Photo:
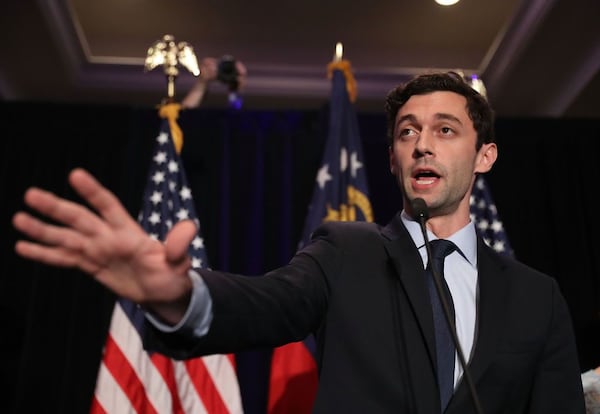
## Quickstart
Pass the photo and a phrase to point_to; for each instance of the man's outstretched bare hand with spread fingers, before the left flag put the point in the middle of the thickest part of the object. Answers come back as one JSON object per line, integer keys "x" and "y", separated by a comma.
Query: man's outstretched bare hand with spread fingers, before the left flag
{"x": 110, "y": 245}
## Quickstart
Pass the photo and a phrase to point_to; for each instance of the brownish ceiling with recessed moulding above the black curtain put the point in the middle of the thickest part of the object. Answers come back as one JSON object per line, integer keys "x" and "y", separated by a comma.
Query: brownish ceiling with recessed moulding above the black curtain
{"x": 536, "y": 57}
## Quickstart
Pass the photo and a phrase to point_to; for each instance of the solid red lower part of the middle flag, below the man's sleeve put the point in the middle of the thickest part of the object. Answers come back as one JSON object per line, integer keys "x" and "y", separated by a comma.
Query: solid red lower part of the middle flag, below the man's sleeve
{"x": 293, "y": 382}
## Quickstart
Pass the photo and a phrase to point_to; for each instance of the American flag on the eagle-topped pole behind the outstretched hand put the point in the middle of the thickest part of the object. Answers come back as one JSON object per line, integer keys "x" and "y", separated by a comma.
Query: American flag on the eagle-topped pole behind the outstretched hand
{"x": 132, "y": 380}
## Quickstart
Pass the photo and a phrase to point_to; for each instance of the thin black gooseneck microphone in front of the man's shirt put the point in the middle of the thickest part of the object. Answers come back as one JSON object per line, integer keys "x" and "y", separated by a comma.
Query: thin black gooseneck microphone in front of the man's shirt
{"x": 420, "y": 212}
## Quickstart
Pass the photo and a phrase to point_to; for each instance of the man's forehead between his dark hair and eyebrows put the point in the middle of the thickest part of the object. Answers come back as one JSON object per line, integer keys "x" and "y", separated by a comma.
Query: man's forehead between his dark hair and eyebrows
{"x": 423, "y": 107}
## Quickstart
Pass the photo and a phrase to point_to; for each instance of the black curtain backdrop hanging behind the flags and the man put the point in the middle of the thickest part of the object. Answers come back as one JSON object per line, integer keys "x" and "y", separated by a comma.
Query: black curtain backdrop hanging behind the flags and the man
{"x": 252, "y": 174}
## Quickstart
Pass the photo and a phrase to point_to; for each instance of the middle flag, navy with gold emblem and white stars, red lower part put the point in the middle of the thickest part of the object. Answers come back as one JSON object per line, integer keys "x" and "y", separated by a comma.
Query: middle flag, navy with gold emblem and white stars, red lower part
{"x": 340, "y": 194}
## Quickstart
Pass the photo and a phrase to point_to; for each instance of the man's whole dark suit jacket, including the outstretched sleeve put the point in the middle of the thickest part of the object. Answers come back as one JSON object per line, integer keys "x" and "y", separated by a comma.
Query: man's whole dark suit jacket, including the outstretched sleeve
{"x": 360, "y": 288}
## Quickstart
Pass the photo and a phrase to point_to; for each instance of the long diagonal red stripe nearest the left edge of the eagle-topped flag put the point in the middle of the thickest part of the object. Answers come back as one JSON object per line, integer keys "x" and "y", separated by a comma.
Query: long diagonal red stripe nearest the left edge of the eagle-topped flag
{"x": 120, "y": 368}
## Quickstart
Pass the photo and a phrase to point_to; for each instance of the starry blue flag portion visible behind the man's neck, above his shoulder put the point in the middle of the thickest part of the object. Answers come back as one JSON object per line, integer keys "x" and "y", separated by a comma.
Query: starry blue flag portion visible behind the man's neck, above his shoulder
{"x": 487, "y": 221}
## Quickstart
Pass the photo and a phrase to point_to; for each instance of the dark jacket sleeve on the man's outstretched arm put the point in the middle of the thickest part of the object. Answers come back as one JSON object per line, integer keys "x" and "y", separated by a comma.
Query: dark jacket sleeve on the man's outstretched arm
{"x": 250, "y": 312}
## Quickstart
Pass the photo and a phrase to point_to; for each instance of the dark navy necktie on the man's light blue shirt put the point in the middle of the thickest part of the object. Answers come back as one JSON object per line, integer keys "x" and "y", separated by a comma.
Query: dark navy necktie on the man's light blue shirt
{"x": 445, "y": 349}
